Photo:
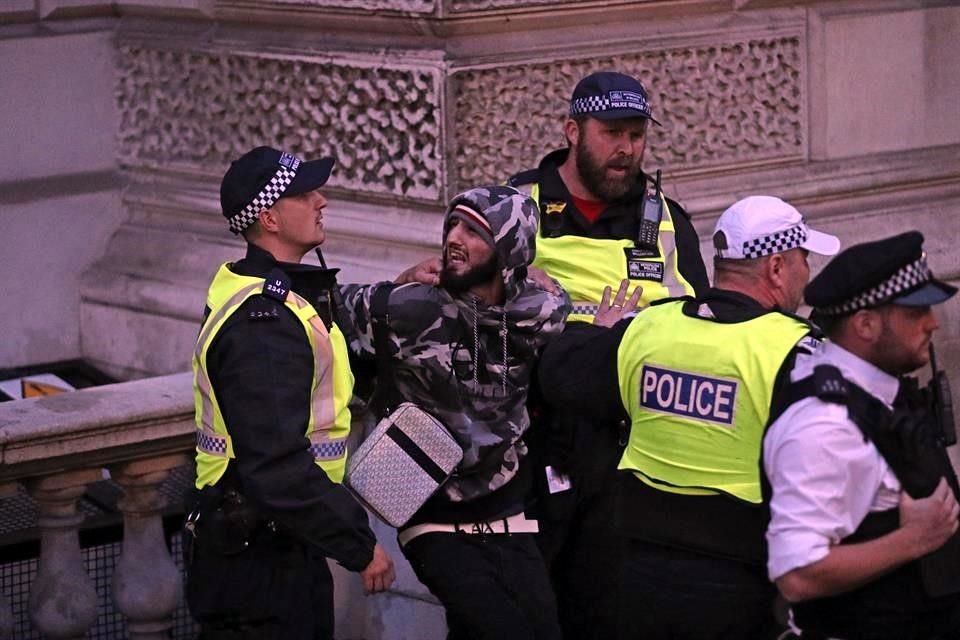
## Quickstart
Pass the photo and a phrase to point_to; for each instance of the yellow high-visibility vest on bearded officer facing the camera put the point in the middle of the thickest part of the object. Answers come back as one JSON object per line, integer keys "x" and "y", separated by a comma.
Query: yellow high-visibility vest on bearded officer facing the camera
{"x": 584, "y": 266}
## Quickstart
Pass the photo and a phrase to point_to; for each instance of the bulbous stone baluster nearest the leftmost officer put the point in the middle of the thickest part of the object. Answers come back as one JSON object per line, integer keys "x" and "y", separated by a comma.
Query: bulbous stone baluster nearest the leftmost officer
{"x": 146, "y": 585}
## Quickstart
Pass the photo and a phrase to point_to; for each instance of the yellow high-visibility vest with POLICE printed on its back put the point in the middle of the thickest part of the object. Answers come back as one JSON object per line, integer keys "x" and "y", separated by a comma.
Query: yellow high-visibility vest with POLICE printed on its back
{"x": 698, "y": 406}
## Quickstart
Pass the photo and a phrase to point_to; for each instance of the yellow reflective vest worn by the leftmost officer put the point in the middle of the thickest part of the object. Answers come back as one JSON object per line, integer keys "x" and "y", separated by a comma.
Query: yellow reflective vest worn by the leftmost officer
{"x": 332, "y": 385}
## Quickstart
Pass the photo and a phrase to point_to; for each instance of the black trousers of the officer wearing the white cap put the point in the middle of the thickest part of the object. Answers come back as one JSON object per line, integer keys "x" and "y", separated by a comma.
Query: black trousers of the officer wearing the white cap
{"x": 670, "y": 594}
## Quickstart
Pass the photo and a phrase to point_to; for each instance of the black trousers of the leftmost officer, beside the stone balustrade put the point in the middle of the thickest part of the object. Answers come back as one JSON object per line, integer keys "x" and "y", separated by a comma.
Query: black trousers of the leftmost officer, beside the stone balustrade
{"x": 279, "y": 590}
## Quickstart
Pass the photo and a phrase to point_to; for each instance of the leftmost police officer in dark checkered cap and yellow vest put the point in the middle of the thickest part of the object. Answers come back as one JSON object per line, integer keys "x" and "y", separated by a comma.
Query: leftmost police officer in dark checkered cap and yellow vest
{"x": 272, "y": 383}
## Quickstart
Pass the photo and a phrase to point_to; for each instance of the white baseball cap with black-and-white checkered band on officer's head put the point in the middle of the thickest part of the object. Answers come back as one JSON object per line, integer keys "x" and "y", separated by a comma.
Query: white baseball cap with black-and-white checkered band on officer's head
{"x": 759, "y": 226}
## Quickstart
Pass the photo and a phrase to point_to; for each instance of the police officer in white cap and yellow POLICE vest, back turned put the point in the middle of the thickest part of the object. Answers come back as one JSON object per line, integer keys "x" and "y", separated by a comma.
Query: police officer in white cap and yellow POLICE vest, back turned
{"x": 693, "y": 380}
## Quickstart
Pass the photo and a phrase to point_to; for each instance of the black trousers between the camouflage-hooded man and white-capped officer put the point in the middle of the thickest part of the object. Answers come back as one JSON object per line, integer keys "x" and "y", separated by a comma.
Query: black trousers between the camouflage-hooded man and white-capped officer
{"x": 578, "y": 539}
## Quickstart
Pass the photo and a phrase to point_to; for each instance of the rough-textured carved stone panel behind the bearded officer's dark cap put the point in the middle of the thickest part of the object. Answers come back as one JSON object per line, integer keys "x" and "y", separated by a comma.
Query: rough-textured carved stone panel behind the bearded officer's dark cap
{"x": 732, "y": 103}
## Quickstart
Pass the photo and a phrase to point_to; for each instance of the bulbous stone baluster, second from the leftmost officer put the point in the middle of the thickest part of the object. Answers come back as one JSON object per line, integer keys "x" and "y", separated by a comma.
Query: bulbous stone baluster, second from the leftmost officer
{"x": 63, "y": 598}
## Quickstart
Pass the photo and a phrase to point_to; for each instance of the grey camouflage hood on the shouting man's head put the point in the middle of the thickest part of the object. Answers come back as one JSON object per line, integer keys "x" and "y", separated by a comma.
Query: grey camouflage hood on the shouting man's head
{"x": 511, "y": 227}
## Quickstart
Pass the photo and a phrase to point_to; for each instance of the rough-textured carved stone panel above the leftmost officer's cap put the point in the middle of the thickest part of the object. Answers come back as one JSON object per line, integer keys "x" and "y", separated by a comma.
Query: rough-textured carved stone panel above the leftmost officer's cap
{"x": 198, "y": 110}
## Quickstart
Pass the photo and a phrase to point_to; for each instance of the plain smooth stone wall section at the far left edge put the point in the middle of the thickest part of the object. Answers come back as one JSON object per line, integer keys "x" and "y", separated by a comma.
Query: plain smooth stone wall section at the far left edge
{"x": 59, "y": 198}
